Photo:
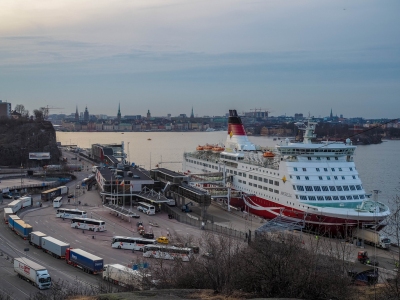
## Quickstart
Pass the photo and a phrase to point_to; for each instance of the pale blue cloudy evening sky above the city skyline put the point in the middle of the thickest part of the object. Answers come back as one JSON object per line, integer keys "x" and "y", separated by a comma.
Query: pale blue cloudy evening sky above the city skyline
{"x": 167, "y": 56}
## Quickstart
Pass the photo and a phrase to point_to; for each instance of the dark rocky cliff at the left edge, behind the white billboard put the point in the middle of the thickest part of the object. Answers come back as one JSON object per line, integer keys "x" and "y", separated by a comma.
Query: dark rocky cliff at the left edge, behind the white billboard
{"x": 19, "y": 137}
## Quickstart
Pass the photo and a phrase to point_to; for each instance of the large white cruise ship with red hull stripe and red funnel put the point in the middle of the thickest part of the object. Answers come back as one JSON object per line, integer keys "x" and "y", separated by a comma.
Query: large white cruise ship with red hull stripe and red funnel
{"x": 314, "y": 183}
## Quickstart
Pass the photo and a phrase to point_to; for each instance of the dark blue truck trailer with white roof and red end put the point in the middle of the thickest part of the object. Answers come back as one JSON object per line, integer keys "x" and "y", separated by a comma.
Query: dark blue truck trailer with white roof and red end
{"x": 86, "y": 261}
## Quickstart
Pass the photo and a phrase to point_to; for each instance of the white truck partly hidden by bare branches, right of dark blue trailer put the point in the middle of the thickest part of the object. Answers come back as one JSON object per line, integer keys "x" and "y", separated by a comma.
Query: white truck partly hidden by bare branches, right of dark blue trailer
{"x": 124, "y": 276}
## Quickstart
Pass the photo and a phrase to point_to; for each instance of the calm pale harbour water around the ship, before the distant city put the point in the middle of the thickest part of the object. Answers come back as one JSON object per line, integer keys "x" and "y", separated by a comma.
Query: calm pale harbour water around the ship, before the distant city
{"x": 378, "y": 165}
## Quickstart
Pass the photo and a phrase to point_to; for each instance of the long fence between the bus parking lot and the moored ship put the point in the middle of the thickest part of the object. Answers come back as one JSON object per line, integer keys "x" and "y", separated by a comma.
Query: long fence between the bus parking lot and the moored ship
{"x": 194, "y": 221}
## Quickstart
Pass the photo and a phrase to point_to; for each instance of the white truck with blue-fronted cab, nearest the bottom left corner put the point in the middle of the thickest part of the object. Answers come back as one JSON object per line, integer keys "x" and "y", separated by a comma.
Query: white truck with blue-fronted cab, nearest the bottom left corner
{"x": 32, "y": 272}
